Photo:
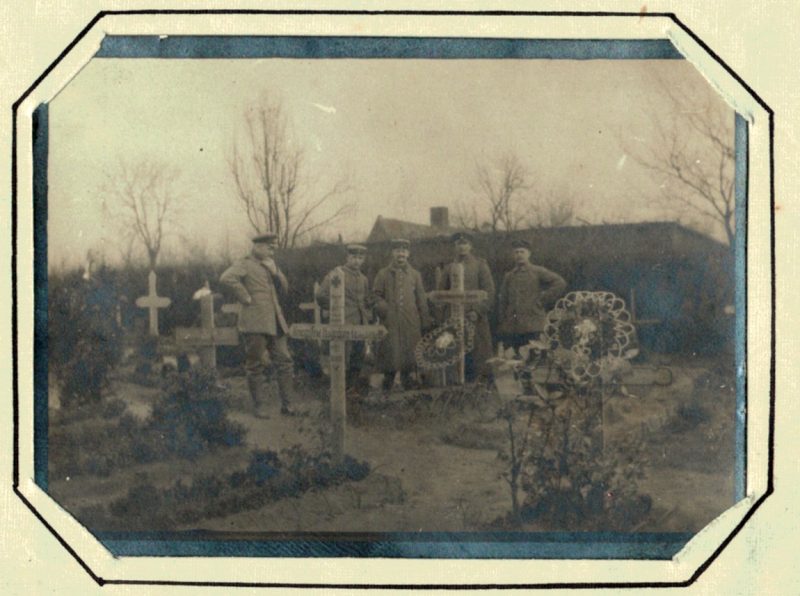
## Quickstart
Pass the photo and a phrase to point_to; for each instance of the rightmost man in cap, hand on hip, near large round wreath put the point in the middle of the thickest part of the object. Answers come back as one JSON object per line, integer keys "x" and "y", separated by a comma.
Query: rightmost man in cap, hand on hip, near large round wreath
{"x": 525, "y": 292}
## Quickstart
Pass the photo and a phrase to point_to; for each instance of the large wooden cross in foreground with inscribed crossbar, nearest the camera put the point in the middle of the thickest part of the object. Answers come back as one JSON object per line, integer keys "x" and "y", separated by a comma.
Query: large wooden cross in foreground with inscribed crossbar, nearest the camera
{"x": 338, "y": 333}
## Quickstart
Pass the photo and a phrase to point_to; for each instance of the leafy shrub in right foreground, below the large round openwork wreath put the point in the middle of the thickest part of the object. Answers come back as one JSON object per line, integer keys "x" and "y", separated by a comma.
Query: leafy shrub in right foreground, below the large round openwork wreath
{"x": 556, "y": 458}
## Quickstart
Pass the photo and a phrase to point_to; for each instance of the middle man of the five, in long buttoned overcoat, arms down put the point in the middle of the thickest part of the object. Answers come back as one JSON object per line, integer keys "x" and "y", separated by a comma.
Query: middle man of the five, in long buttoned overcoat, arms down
{"x": 402, "y": 305}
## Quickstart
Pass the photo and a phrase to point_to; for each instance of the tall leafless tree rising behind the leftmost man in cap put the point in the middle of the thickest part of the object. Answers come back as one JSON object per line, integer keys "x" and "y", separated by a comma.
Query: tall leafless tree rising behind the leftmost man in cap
{"x": 272, "y": 185}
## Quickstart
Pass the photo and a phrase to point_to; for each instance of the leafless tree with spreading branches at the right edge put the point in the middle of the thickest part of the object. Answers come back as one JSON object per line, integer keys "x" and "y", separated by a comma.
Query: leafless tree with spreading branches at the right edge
{"x": 693, "y": 158}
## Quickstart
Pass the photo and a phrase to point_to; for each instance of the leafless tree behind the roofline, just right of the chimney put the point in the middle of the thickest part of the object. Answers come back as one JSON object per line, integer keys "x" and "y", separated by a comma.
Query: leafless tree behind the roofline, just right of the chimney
{"x": 500, "y": 190}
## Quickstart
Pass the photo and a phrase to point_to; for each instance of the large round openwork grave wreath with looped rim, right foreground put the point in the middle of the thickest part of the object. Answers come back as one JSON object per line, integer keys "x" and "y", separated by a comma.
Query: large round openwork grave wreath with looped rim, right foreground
{"x": 589, "y": 334}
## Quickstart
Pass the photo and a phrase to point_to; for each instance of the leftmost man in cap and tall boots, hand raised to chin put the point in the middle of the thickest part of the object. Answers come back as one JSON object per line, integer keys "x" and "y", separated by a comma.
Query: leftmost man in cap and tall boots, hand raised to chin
{"x": 257, "y": 281}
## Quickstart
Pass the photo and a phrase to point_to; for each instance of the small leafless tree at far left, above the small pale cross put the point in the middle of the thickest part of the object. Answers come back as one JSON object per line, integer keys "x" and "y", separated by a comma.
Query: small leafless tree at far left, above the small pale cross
{"x": 141, "y": 197}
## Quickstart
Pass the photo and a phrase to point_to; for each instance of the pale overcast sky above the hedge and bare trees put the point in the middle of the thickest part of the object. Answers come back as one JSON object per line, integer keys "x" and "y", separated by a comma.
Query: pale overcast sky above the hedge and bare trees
{"x": 407, "y": 132}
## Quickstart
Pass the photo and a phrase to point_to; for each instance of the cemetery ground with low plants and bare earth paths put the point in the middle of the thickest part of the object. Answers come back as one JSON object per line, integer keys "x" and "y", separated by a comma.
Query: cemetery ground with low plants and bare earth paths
{"x": 425, "y": 459}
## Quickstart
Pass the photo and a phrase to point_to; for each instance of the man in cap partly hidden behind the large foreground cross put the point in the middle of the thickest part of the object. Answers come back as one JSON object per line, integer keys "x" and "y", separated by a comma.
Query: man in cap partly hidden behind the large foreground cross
{"x": 357, "y": 311}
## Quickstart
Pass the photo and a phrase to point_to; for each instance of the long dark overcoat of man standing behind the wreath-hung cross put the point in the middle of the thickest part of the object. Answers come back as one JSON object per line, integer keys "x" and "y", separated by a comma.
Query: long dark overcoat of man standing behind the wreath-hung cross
{"x": 477, "y": 276}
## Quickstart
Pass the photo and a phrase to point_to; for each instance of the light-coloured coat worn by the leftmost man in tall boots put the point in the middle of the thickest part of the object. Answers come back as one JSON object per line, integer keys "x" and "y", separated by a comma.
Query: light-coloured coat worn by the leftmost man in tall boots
{"x": 255, "y": 288}
